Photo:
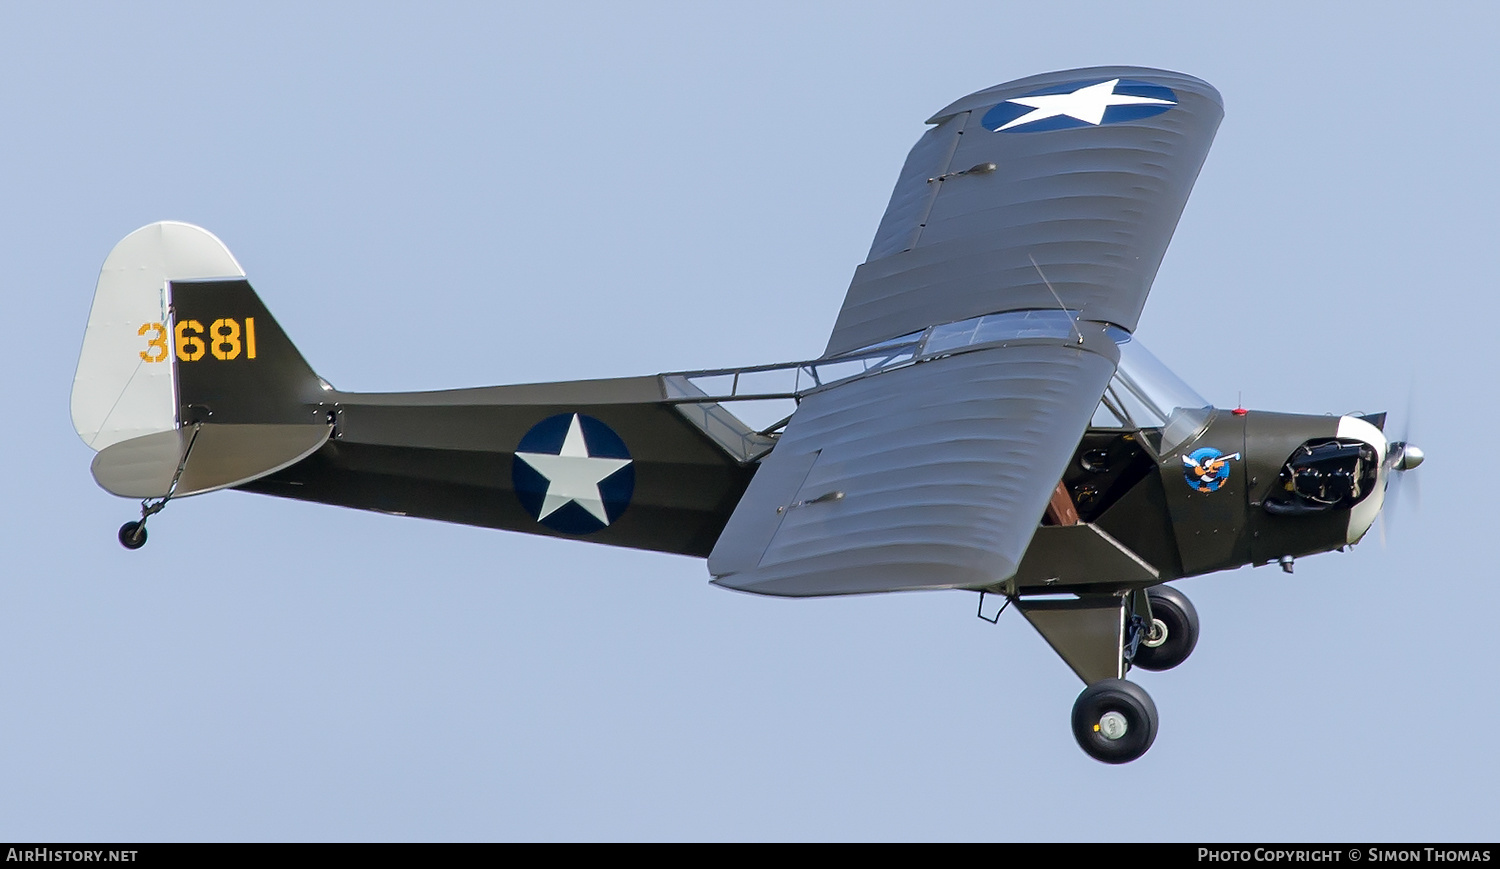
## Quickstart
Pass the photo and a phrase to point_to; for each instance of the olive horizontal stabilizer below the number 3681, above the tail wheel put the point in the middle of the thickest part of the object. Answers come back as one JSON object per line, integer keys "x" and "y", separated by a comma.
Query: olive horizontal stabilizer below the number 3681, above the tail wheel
{"x": 203, "y": 459}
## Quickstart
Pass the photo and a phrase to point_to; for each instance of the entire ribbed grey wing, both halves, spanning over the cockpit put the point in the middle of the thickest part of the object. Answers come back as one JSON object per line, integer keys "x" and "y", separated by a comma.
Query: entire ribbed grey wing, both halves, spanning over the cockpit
{"x": 1057, "y": 191}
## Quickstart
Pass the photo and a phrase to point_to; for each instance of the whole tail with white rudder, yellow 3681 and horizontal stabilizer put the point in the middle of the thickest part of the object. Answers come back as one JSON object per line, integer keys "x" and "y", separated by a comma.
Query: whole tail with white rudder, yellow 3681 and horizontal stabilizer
{"x": 185, "y": 382}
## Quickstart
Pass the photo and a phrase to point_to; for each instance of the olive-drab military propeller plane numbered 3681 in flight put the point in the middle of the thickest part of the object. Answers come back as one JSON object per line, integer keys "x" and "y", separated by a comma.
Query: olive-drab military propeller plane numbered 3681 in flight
{"x": 982, "y": 419}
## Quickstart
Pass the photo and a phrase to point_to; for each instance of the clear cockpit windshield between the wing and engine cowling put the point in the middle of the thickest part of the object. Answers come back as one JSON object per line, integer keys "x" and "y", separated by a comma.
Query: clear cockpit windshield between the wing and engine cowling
{"x": 1148, "y": 397}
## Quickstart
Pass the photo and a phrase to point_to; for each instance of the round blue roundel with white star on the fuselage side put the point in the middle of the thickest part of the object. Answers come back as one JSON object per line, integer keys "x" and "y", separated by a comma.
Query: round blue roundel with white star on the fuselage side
{"x": 574, "y": 474}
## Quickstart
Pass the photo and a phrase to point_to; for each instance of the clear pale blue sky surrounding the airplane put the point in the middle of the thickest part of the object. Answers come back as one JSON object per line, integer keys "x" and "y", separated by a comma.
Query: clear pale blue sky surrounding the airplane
{"x": 478, "y": 194}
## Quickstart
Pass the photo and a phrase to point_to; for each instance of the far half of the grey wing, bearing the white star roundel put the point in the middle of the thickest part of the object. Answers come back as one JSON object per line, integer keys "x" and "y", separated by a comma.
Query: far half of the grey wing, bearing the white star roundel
{"x": 1093, "y": 205}
